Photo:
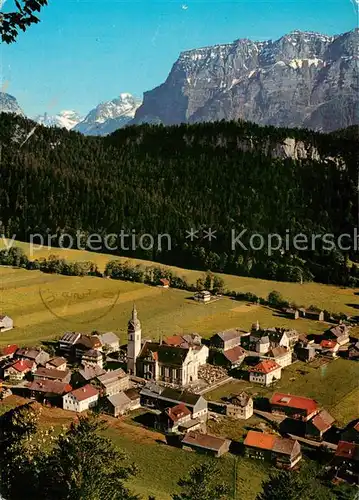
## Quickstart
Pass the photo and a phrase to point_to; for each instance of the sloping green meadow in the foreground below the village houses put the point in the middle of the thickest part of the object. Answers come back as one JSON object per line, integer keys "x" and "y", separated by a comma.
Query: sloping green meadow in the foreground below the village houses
{"x": 161, "y": 466}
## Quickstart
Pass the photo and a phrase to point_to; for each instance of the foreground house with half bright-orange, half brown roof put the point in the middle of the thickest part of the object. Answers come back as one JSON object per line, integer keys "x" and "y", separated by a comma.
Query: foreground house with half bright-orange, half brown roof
{"x": 284, "y": 453}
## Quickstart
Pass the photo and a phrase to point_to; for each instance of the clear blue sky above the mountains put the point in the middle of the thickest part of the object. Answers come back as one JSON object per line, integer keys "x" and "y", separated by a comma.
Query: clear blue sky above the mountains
{"x": 86, "y": 51}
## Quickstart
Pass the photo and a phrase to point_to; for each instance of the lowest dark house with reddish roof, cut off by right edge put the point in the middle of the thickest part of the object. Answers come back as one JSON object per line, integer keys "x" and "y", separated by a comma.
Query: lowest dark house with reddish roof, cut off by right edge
{"x": 346, "y": 461}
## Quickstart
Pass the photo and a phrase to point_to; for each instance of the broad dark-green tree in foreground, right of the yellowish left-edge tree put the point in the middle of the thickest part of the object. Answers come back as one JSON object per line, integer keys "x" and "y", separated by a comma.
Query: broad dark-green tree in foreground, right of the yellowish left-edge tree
{"x": 84, "y": 464}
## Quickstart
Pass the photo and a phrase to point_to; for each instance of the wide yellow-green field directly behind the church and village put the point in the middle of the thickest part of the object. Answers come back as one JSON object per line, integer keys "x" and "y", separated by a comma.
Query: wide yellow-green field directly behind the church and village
{"x": 44, "y": 306}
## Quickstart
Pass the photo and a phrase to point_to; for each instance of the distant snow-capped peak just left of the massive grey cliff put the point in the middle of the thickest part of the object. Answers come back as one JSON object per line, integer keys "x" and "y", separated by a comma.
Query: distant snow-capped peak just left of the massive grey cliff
{"x": 109, "y": 116}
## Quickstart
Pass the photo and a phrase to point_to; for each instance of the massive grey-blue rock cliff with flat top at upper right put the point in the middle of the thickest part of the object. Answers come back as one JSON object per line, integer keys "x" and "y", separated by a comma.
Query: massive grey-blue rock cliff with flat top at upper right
{"x": 301, "y": 80}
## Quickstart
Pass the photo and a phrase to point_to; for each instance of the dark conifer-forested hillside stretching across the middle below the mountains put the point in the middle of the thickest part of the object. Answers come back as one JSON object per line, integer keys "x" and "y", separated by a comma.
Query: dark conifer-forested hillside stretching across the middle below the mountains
{"x": 153, "y": 179}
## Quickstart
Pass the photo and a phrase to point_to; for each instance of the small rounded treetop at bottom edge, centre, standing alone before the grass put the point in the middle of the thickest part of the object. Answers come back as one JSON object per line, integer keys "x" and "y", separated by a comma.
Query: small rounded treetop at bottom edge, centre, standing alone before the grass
{"x": 202, "y": 483}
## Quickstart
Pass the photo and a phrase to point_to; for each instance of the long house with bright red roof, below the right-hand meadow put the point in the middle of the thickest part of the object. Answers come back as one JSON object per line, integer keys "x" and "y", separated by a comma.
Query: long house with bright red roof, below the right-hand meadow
{"x": 296, "y": 407}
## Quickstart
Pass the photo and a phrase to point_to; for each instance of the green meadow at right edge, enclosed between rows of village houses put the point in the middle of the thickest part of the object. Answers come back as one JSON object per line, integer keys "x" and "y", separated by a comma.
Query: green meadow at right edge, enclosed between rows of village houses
{"x": 334, "y": 386}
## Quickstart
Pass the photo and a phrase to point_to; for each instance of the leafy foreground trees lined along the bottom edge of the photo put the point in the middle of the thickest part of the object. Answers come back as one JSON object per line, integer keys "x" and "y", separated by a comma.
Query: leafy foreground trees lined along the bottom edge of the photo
{"x": 81, "y": 463}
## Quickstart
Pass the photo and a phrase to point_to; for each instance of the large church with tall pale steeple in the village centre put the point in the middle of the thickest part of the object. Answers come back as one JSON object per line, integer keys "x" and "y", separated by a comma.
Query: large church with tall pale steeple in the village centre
{"x": 160, "y": 362}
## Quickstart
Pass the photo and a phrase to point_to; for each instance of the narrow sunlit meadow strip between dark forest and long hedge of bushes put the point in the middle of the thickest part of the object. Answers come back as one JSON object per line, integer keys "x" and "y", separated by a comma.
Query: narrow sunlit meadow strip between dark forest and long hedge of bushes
{"x": 334, "y": 299}
